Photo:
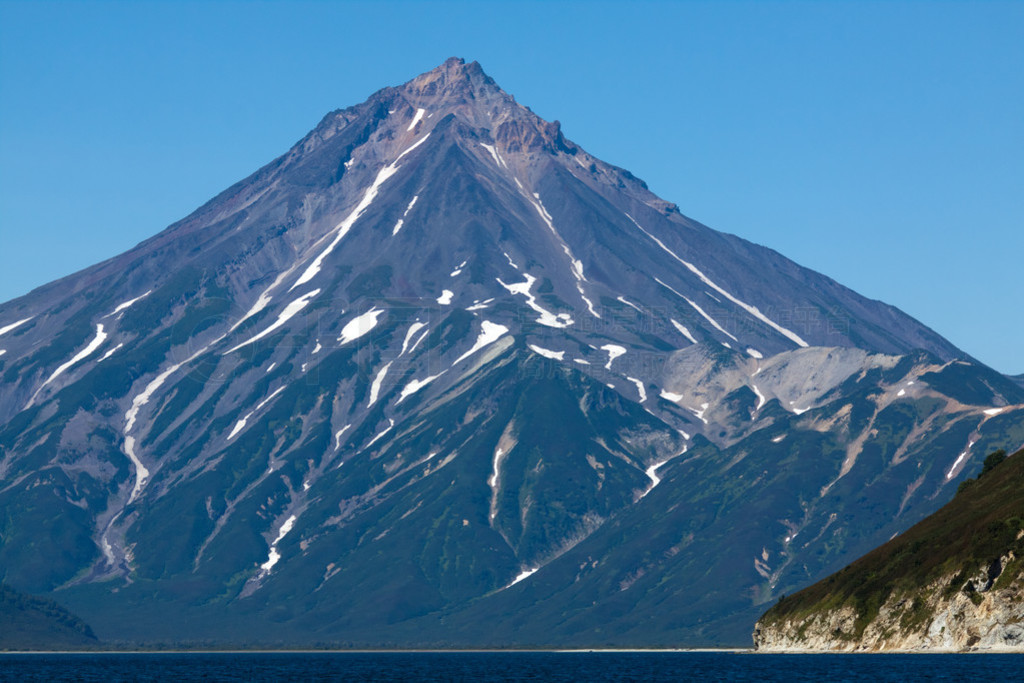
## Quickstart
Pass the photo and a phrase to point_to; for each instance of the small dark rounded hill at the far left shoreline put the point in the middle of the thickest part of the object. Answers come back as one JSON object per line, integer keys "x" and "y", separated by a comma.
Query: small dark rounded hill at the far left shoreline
{"x": 29, "y": 623}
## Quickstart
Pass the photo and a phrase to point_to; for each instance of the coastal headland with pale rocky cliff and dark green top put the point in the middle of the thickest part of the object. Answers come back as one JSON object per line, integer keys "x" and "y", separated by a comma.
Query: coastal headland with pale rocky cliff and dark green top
{"x": 953, "y": 583}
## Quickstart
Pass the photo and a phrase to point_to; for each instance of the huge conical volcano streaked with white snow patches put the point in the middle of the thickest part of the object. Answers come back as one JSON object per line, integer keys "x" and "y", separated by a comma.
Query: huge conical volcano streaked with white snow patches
{"x": 437, "y": 374}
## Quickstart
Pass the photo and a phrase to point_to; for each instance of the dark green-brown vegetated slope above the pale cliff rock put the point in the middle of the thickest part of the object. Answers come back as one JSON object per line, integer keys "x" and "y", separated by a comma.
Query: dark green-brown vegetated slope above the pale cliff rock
{"x": 980, "y": 525}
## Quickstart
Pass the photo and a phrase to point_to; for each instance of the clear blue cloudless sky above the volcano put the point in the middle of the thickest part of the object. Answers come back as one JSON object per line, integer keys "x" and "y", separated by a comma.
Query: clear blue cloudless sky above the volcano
{"x": 879, "y": 143}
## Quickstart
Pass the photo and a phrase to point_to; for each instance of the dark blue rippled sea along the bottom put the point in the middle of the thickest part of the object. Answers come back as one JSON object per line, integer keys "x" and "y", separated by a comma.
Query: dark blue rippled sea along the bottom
{"x": 510, "y": 667}
